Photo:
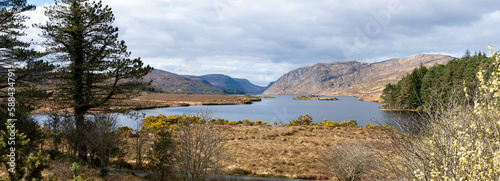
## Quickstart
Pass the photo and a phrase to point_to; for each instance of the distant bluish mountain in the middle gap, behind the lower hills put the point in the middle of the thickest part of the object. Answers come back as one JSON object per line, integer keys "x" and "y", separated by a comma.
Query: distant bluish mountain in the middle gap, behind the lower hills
{"x": 226, "y": 82}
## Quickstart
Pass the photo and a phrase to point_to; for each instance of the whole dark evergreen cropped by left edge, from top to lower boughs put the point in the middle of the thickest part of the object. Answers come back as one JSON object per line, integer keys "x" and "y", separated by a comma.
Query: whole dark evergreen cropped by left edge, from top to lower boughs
{"x": 19, "y": 69}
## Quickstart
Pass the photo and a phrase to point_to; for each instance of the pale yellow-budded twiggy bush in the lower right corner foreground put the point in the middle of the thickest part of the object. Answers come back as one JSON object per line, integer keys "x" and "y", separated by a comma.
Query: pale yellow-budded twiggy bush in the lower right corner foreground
{"x": 458, "y": 141}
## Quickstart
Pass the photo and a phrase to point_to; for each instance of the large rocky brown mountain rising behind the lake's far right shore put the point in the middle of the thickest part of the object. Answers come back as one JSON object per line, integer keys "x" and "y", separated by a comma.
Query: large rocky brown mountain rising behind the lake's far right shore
{"x": 350, "y": 78}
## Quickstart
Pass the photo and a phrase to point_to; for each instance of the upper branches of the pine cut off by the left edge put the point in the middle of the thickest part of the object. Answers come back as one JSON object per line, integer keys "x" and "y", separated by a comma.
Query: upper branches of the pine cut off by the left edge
{"x": 14, "y": 53}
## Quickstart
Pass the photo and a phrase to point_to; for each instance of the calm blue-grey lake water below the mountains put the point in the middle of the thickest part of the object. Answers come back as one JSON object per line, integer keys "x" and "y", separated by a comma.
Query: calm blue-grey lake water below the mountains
{"x": 280, "y": 109}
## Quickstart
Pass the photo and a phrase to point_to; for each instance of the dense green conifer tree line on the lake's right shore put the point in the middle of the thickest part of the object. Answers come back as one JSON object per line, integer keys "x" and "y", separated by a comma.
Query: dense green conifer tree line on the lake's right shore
{"x": 424, "y": 87}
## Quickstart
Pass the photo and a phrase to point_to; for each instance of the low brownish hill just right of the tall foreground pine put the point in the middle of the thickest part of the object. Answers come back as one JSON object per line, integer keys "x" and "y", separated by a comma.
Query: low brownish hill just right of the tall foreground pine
{"x": 173, "y": 83}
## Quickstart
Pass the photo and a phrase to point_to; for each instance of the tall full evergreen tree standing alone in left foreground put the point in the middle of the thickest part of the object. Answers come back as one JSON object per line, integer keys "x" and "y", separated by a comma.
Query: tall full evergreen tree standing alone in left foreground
{"x": 95, "y": 65}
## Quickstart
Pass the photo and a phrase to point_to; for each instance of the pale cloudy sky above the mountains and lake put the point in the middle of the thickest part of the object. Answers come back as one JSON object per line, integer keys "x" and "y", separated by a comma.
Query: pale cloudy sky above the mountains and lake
{"x": 261, "y": 40}
